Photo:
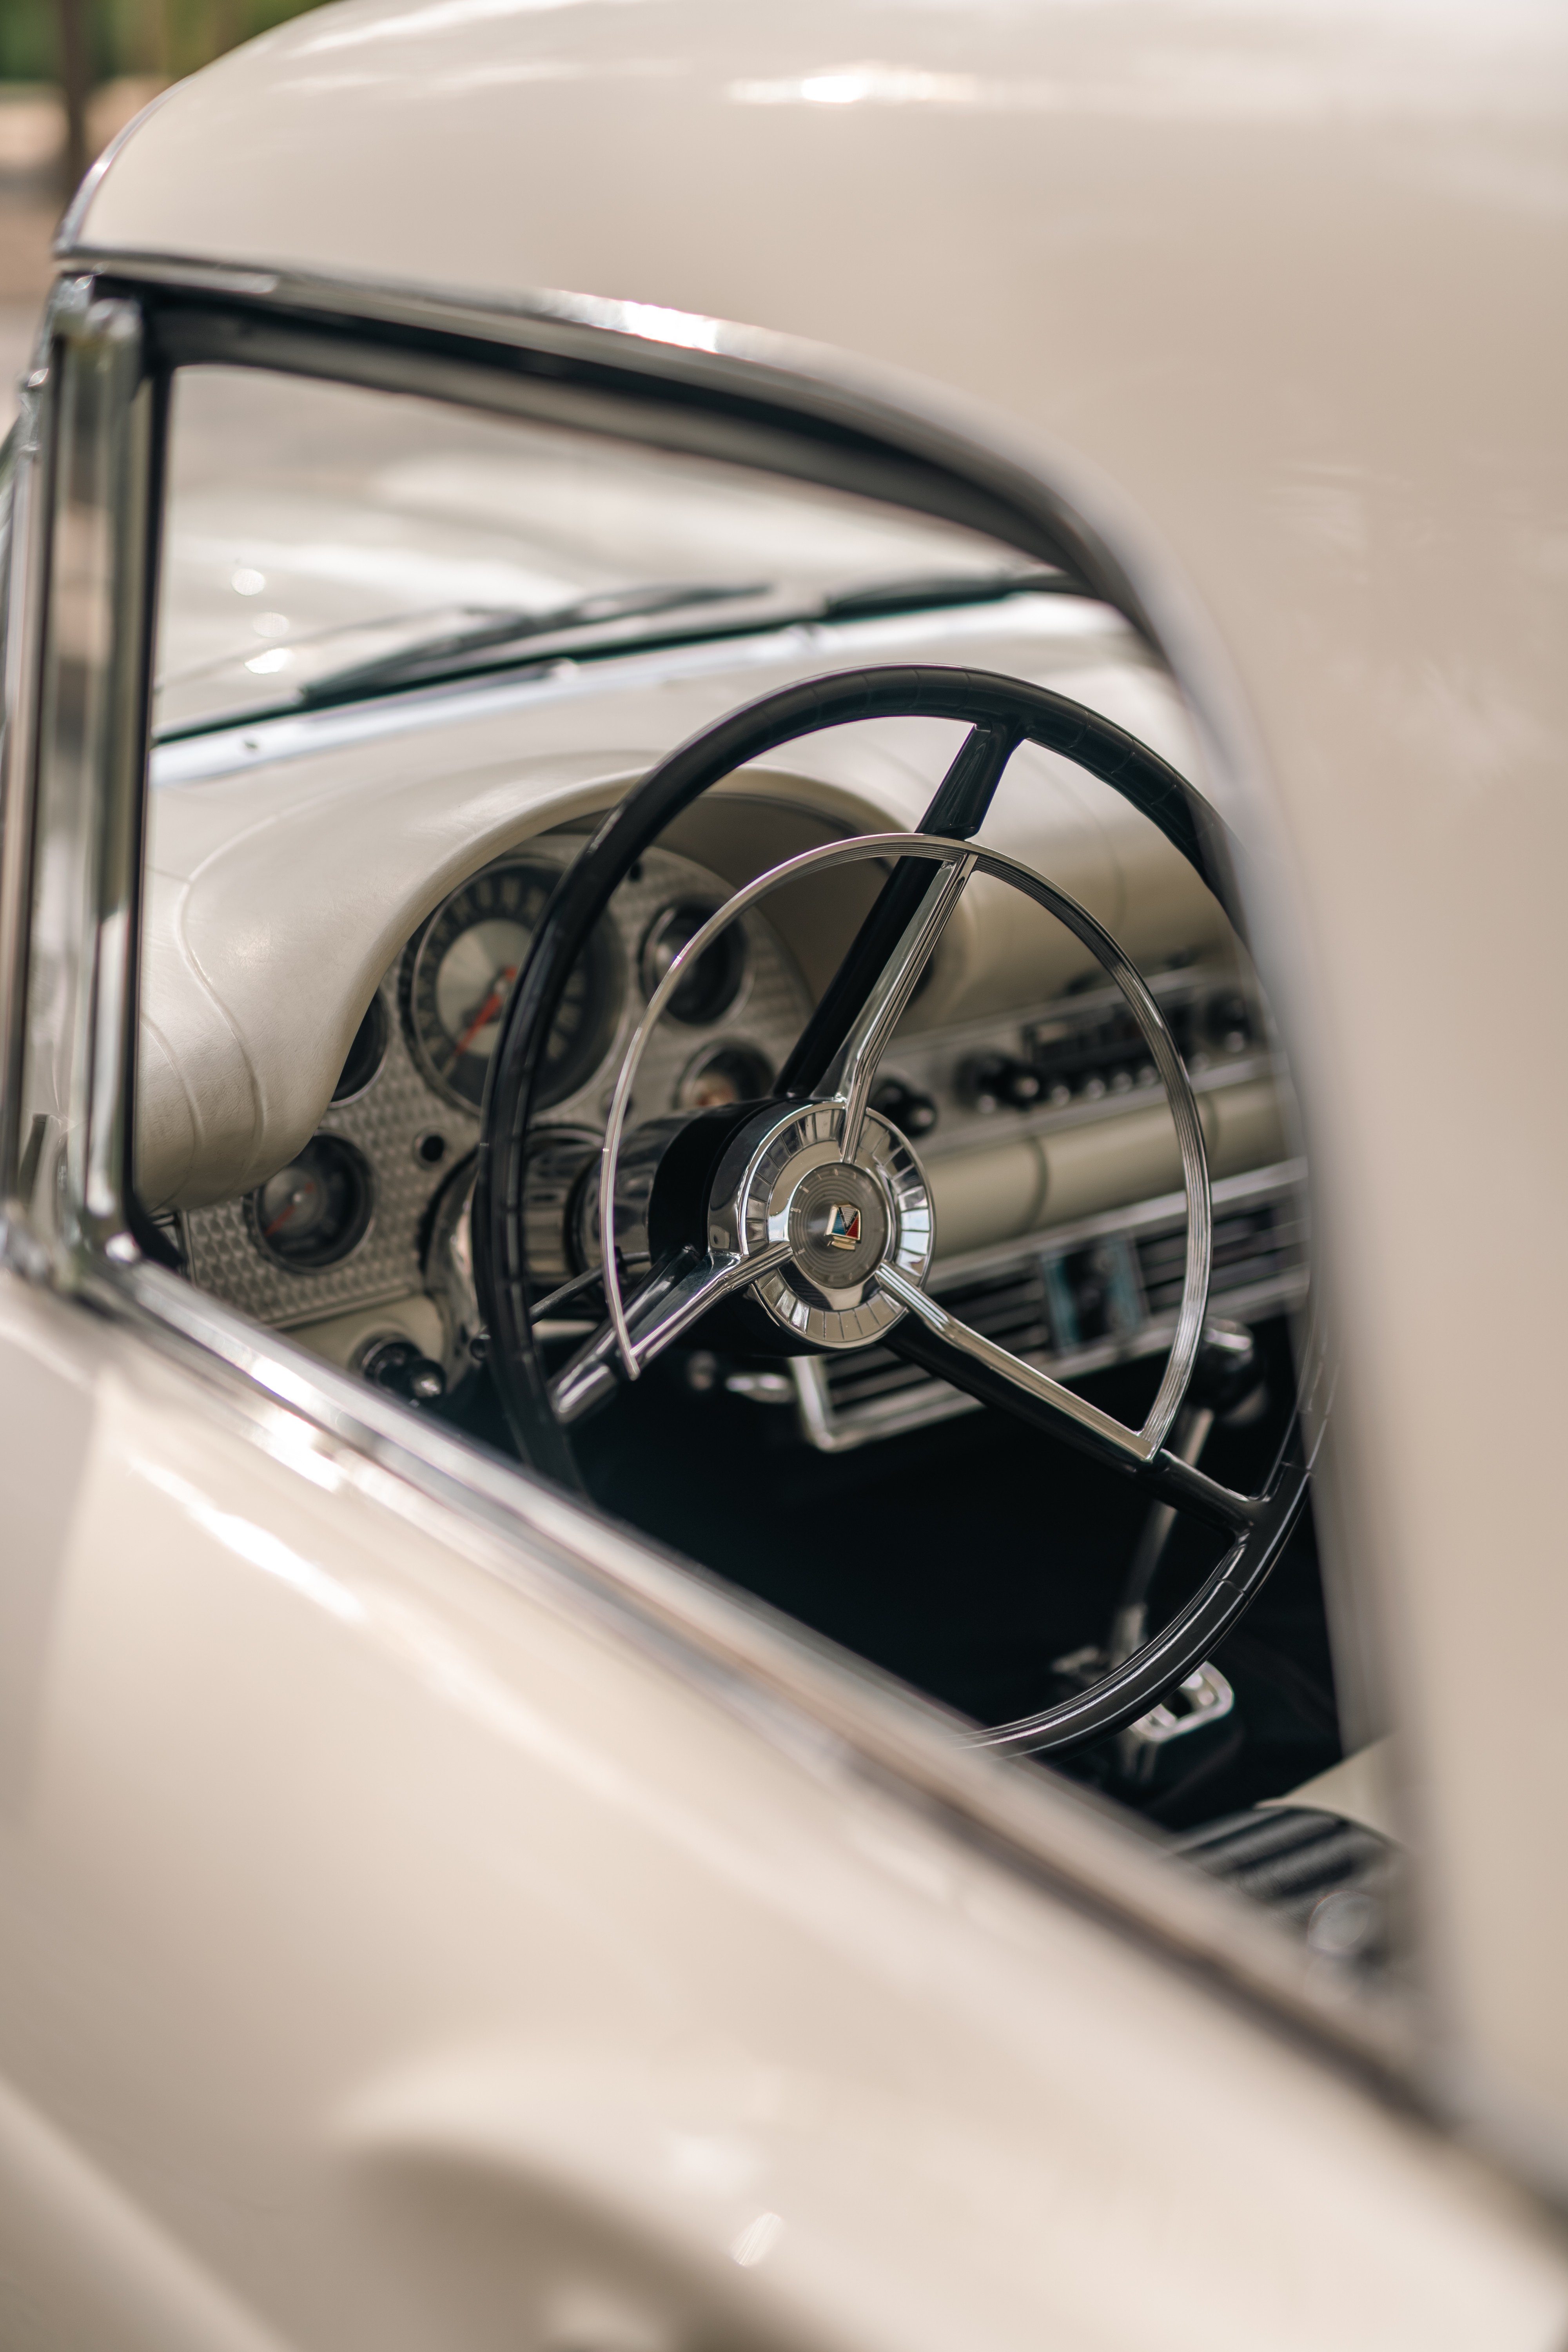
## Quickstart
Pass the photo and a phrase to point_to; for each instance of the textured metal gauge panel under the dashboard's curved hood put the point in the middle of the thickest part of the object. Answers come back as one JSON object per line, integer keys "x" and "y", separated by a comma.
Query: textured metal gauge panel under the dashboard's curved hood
{"x": 349, "y": 1224}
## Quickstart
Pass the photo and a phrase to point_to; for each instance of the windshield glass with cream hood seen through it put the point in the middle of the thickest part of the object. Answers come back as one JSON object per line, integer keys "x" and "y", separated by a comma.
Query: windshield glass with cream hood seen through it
{"x": 326, "y": 542}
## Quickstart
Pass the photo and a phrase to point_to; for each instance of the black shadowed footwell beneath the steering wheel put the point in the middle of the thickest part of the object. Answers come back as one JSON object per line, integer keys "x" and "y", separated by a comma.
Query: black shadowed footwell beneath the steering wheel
{"x": 967, "y": 1556}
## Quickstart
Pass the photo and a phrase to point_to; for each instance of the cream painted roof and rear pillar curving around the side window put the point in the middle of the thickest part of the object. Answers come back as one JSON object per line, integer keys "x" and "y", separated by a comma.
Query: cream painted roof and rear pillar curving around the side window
{"x": 1273, "y": 293}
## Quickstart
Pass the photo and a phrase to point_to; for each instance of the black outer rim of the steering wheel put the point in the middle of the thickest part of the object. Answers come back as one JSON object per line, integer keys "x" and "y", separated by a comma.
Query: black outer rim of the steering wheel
{"x": 1003, "y": 714}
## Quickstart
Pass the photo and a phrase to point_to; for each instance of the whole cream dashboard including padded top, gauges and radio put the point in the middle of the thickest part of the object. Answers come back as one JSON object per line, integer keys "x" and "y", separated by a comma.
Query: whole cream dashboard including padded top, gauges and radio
{"x": 337, "y": 907}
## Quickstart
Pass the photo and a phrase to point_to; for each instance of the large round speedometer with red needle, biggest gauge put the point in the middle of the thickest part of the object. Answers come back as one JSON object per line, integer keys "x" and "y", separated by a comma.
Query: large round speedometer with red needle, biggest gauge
{"x": 462, "y": 968}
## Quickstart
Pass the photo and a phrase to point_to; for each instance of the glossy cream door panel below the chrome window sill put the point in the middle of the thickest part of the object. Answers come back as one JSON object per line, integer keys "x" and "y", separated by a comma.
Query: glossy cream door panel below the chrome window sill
{"x": 436, "y": 1965}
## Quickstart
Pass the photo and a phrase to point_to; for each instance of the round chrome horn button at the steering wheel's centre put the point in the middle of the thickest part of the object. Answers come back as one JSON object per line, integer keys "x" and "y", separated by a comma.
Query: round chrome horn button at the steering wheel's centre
{"x": 784, "y": 1182}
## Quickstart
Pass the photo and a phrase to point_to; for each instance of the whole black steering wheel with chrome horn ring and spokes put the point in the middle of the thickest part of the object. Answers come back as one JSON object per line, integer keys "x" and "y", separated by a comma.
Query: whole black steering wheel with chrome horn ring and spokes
{"x": 805, "y": 1217}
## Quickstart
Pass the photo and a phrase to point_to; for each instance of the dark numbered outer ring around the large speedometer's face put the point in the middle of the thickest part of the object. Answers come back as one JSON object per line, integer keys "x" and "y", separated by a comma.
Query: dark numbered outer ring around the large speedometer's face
{"x": 424, "y": 956}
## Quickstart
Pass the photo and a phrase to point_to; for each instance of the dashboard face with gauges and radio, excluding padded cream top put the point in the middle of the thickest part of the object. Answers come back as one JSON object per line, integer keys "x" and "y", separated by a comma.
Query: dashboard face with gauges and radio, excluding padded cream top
{"x": 1050, "y": 1154}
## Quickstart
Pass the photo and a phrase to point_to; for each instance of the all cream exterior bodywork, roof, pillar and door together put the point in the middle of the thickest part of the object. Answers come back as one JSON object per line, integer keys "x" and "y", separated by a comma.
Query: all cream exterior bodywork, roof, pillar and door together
{"x": 373, "y": 1899}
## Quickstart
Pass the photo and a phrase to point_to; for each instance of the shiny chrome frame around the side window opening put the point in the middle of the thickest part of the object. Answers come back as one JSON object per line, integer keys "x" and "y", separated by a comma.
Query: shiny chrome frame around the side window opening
{"x": 674, "y": 385}
